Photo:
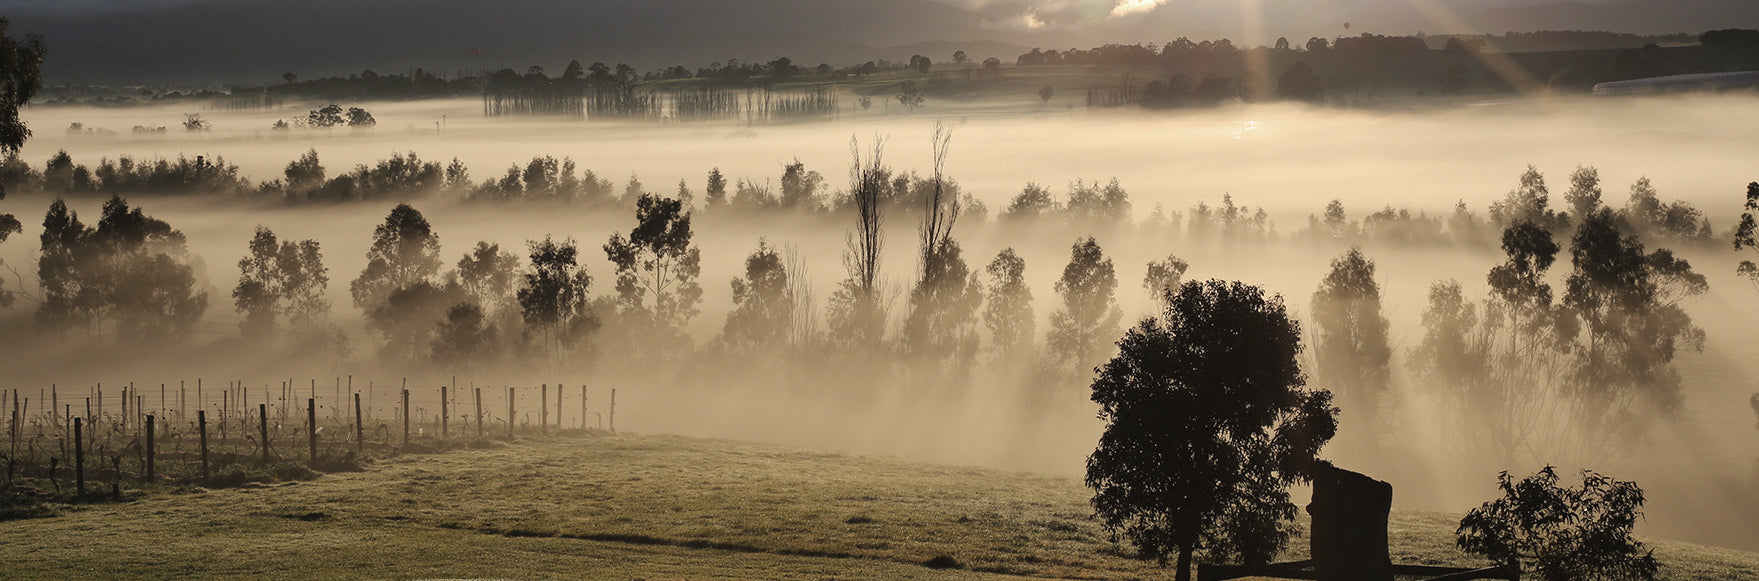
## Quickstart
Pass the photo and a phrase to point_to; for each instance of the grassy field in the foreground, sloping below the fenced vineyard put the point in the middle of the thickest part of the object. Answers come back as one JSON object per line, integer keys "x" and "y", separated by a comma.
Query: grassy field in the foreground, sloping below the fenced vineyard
{"x": 643, "y": 508}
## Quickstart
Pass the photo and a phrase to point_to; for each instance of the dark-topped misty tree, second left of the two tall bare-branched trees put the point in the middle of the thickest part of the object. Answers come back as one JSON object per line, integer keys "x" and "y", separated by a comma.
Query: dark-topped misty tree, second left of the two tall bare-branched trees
{"x": 657, "y": 265}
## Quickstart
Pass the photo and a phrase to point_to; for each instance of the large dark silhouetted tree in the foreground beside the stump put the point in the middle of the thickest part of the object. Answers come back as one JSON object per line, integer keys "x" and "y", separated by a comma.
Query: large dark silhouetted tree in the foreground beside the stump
{"x": 1208, "y": 423}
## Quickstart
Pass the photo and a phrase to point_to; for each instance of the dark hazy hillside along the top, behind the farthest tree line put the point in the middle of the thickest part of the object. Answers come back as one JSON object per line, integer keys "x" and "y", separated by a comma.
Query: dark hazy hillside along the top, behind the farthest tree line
{"x": 256, "y": 41}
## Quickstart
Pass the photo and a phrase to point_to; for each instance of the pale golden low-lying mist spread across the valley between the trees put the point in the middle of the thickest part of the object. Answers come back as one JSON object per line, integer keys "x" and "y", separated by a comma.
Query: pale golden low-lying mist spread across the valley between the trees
{"x": 1287, "y": 159}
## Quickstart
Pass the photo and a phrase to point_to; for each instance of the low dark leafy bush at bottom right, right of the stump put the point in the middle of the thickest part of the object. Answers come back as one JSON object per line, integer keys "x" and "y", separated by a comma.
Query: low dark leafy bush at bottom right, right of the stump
{"x": 1558, "y": 534}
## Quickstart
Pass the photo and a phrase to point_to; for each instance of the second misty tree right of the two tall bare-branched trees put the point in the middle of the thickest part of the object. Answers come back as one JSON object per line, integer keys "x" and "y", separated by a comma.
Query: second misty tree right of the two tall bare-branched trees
{"x": 1083, "y": 328}
